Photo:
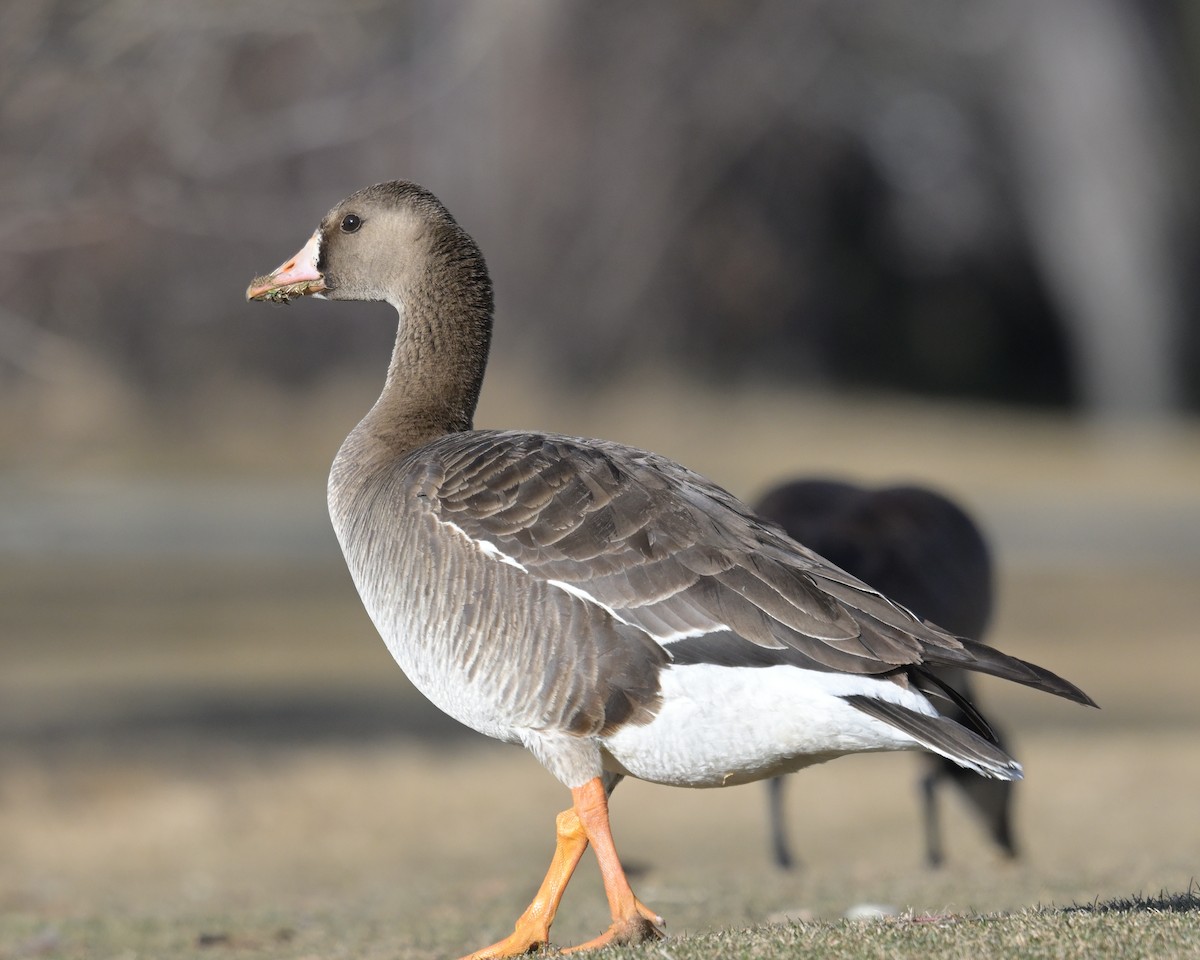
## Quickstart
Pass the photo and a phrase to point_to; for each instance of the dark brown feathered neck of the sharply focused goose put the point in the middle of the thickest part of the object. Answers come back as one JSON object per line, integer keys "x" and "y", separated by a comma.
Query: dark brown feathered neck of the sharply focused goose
{"x": 441, "y": 351}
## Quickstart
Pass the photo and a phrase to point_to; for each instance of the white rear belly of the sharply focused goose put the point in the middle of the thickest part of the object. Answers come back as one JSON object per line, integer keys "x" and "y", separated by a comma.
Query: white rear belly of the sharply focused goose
{"x": 722, "y": 727}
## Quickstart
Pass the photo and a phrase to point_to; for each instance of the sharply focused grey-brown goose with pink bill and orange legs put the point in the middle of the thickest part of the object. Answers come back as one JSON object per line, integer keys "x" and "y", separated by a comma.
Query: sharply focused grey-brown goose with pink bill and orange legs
{"x": 615, "y": 613}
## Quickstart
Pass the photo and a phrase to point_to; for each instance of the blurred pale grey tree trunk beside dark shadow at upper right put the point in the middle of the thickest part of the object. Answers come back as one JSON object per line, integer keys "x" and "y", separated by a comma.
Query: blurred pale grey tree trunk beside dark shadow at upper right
{"x": 1103, "y": 195}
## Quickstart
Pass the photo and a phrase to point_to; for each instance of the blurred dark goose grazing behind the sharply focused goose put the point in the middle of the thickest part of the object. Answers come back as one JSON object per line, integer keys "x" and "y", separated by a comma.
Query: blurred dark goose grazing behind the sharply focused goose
{"x": 922, "y": 550}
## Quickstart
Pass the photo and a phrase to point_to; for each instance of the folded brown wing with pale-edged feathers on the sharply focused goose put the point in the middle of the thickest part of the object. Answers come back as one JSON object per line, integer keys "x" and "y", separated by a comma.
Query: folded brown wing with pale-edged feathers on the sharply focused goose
{"x": 664, "y": 549}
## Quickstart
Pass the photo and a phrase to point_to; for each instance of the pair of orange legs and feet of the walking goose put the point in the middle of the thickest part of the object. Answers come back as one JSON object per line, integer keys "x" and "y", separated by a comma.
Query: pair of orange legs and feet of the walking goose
{"x": 633, "y": 922}
